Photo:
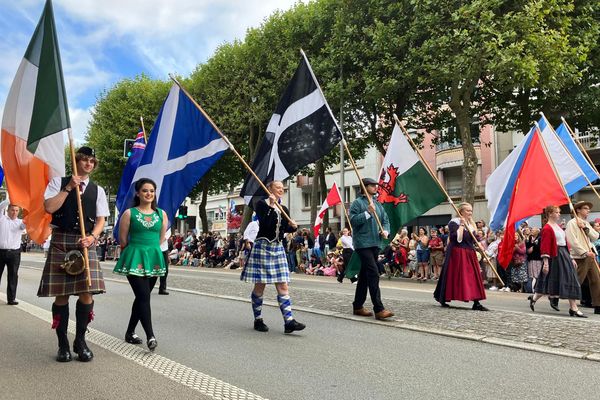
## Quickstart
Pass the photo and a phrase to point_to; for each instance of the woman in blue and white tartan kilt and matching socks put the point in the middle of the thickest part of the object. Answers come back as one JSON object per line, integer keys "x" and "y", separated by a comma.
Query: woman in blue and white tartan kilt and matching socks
{"x": 267, "y": 262}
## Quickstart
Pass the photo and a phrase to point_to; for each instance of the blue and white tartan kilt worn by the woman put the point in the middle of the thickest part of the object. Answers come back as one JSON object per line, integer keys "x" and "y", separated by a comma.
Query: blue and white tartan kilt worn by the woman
{"x": 267, "y": 263}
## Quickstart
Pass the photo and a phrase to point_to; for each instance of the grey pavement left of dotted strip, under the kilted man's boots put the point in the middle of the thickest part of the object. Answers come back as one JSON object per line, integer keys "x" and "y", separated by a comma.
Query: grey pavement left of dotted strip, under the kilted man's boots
{"x": 28, "y": 369}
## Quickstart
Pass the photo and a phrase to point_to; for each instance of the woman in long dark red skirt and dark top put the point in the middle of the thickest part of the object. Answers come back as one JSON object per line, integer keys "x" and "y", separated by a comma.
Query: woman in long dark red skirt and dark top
{"x": 461, "y": 277}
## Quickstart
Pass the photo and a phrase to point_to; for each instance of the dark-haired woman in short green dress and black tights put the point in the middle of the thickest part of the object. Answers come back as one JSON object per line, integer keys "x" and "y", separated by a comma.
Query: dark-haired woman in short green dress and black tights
{"x": 141, "y": 231}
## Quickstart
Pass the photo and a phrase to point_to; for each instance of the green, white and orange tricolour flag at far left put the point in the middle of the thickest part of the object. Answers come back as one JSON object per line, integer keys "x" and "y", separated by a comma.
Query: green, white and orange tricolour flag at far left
{"x": 35, "y": 117}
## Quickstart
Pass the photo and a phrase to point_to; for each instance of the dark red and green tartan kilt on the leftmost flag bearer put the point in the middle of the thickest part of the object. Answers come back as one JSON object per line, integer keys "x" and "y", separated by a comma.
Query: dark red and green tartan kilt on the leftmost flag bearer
{"x": 56, "y": 282}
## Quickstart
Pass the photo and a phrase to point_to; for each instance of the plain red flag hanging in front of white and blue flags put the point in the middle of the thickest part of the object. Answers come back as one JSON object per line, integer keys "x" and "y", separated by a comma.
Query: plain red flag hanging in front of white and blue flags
{"x": 531, "y": 193}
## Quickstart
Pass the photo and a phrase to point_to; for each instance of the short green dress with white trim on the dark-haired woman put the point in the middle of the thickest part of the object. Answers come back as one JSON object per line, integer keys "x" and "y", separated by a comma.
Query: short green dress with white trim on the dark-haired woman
{"x": 142, "y": 256}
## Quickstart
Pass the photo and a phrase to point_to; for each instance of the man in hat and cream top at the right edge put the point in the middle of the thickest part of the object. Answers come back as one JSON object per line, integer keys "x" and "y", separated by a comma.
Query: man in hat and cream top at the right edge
{"x": 580, "y": 236}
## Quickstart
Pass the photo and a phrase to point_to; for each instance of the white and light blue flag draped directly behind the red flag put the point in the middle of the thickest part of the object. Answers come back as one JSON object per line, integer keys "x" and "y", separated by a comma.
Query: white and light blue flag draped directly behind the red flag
{"x": 500, "y": 185}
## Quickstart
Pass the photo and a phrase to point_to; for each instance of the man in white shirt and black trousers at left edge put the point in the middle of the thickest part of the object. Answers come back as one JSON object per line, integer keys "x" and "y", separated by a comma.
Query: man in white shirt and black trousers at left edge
{"x": 11, "y": 230}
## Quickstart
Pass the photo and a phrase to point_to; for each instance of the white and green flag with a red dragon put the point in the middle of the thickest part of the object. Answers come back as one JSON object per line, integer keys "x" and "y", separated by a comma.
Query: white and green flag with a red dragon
{"x": 406, "y": 189}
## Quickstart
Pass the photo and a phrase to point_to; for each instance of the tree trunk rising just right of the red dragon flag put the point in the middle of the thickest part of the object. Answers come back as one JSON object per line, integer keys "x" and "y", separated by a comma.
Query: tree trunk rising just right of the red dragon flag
{"x": 460, "y": 103}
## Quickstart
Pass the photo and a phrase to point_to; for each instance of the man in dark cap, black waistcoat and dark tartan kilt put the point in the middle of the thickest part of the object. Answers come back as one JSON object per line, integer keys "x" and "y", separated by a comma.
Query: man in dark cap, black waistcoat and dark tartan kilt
{"x": 61, "y": 202}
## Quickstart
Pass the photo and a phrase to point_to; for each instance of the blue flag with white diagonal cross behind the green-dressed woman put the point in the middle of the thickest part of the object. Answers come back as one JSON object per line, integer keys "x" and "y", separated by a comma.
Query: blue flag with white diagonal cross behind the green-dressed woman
{"x": 183, "y": 146}
